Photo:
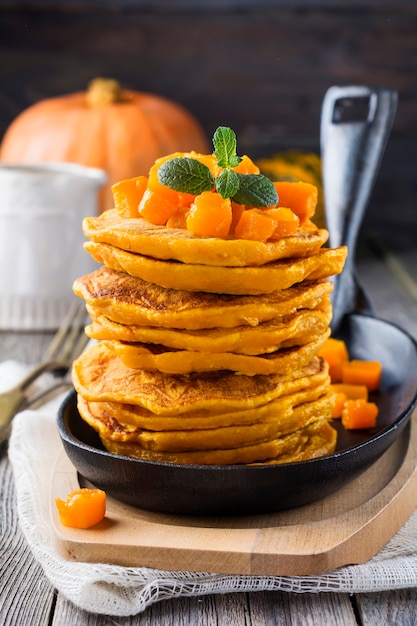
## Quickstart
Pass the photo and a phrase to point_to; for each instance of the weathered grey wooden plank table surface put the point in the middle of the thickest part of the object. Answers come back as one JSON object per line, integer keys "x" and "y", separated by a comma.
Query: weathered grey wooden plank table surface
{"x": 27, "y": 597}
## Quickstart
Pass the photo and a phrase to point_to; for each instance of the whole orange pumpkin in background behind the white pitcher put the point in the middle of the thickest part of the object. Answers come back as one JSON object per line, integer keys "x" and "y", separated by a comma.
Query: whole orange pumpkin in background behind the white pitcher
{"x": 120, "y": 131}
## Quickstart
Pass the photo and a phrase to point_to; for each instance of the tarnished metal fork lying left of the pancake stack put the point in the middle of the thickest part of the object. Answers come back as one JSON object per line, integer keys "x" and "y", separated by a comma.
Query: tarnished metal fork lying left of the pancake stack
{"x": 66, "y": 345}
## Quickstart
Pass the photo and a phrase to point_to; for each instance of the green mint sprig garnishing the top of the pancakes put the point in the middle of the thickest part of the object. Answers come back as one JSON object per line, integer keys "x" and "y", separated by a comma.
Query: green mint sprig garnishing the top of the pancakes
{"x": 188, "y": 175}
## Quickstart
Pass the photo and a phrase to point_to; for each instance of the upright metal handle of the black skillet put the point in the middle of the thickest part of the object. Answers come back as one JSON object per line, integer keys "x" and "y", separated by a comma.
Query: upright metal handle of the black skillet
{"x": 355, "y": 125}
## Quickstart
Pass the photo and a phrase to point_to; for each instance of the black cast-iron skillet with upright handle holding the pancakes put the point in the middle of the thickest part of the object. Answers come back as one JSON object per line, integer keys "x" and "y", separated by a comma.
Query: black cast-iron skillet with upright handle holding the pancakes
{"x": 242, "y": 490}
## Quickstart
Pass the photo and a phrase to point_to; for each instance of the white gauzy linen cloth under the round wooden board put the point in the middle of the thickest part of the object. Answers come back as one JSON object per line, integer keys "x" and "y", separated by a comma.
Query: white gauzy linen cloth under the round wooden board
{"x": 124, "y": 591}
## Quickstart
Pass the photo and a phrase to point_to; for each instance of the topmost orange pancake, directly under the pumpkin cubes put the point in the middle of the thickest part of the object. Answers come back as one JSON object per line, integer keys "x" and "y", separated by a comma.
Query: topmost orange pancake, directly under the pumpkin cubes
{"x": 140, "y": 236}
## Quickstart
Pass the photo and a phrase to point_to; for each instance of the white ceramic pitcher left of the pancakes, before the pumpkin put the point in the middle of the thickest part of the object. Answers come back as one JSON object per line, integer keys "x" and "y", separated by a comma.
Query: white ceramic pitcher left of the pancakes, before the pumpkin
{"x": 41, "y": 240}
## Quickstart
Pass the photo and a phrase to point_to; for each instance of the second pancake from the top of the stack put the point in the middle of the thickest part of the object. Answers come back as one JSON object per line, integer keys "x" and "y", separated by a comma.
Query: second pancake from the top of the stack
{"x": 230, "y": 280}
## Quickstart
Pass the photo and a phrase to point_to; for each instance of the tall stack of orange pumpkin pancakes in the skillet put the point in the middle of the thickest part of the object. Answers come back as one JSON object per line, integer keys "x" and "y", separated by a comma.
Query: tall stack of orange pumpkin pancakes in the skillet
{"x": 207, "y": 348}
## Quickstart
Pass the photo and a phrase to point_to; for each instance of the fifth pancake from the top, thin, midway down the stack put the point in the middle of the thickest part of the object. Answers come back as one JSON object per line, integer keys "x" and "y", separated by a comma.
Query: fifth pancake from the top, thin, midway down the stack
{"x": 151, "y": 357}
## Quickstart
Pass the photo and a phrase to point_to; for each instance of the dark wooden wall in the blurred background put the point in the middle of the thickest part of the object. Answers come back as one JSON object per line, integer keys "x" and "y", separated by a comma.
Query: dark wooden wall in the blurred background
{"x": 261, "y": 67}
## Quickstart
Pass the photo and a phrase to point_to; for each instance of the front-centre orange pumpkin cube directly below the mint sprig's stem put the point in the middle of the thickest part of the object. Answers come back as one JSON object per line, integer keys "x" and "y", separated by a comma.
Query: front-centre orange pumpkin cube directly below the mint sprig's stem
{"x": 210, "y": 215}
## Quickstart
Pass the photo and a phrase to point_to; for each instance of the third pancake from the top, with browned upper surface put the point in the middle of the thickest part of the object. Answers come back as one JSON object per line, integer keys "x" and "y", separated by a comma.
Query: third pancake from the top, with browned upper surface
{"x": 132, "y": 301}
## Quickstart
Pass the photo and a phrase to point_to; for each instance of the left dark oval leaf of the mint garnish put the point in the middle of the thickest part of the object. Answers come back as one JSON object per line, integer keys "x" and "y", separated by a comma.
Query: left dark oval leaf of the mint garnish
{"x": 186, "y": 175}
